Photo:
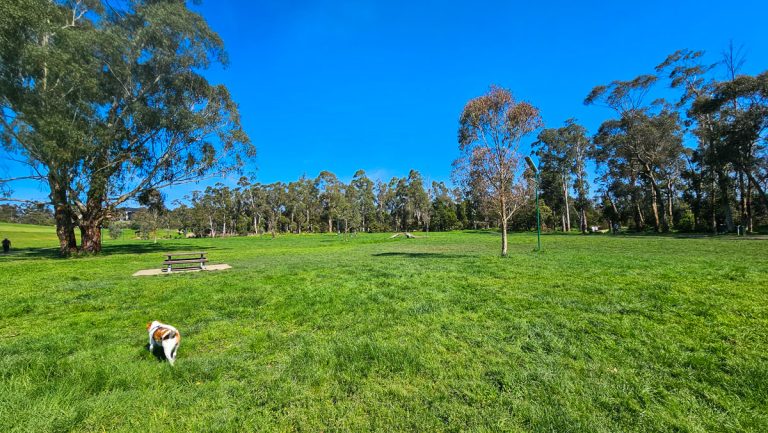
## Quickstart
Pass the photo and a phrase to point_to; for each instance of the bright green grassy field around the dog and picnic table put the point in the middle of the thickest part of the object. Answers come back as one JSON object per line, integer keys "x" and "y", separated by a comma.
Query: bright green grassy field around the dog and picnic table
{"x": 314, "y": 333}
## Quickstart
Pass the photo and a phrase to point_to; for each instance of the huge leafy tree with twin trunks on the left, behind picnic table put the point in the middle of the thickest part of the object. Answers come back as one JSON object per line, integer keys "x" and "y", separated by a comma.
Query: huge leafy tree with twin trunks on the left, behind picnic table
{"x": 102, "y": 102}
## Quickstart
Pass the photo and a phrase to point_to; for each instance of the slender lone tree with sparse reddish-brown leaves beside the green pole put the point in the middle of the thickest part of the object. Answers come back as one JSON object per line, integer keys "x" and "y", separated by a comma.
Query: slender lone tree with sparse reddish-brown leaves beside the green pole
{"x": 491, "y": 127}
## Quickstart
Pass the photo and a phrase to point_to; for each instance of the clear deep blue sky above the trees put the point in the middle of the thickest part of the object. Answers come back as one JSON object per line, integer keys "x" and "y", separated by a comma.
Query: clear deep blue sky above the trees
{"x": 379, "y": 85}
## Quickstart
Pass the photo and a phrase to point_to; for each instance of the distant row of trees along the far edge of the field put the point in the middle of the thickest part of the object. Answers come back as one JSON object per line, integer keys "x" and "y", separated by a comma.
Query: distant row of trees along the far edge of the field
{"x": 325, "y": 204}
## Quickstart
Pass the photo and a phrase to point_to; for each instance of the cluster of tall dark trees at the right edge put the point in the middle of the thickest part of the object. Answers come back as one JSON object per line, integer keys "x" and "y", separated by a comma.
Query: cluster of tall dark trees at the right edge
{"x": 699, "y": 159}
